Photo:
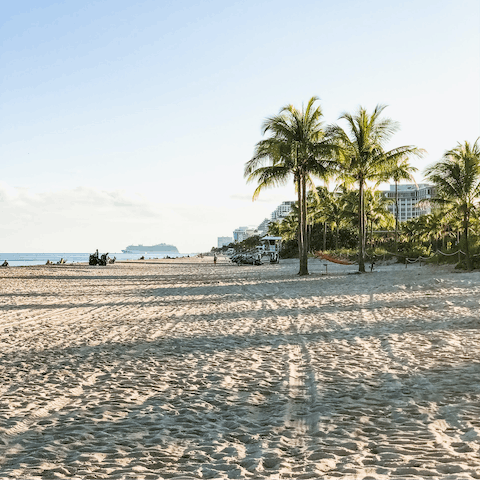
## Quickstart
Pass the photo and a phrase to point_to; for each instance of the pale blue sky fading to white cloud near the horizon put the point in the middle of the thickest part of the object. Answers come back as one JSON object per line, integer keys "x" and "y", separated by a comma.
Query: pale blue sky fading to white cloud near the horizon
{"x": 130, "y": 122}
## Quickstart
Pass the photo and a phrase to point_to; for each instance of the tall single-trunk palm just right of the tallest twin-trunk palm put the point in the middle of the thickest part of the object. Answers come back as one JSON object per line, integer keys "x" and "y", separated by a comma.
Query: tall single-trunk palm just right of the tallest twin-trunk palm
{"x": 363, "y": 158}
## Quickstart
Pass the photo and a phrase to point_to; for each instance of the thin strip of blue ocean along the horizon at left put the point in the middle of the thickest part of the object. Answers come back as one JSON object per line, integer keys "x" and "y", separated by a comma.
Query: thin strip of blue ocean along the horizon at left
{"x": 23, "y": 259}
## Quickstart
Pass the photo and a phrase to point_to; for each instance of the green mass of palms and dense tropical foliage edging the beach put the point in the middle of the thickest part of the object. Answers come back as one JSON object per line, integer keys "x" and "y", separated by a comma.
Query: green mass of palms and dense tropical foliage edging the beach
{"x": 354, "y": 156}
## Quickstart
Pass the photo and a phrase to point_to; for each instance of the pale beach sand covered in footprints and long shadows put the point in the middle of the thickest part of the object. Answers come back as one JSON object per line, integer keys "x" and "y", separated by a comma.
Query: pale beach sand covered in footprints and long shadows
{"x": 182, "y": 370}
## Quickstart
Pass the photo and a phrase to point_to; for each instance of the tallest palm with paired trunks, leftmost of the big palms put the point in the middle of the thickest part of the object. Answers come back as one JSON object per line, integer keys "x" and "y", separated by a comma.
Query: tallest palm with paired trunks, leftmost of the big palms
{"x": 298, "y": 148}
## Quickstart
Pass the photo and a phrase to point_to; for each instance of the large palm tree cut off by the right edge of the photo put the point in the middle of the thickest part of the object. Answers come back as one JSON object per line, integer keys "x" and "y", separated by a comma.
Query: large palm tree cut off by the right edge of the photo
{"x": 457, "y": 180}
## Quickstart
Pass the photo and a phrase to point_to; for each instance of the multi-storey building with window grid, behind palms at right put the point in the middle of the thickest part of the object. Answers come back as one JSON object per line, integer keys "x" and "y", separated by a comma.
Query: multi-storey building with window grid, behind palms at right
{"x": 412, "y": 200}
